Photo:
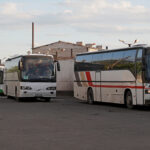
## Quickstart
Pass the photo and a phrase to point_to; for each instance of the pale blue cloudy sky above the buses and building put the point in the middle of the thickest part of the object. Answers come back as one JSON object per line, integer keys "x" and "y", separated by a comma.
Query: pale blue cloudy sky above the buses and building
{"x": 103, "y": 22}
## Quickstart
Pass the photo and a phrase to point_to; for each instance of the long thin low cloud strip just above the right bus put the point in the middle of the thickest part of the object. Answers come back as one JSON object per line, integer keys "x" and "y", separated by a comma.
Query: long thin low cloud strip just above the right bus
{"x": 108, "y": 29}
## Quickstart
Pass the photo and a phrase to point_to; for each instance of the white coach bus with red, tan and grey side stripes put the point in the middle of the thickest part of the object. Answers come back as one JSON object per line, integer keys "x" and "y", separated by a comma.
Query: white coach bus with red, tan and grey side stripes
{"x": 115, "y": 76}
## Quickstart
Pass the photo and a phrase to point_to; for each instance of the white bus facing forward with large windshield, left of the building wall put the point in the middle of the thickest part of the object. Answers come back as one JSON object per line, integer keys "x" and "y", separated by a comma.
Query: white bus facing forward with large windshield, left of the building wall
{"x": 30, "y": 76}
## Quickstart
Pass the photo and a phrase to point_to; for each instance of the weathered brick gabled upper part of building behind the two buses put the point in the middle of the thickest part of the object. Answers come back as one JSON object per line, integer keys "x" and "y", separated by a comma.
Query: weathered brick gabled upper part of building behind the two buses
{"x": 63, "y": 50}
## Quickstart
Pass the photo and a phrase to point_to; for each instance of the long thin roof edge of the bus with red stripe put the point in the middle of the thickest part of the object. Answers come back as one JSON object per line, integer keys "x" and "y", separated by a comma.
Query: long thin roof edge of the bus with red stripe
{"x": 118, "y": 49}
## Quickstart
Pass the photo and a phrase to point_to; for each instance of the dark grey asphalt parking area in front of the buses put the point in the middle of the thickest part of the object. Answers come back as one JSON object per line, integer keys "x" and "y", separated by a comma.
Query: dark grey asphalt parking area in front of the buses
{"x": 69, "y": 124}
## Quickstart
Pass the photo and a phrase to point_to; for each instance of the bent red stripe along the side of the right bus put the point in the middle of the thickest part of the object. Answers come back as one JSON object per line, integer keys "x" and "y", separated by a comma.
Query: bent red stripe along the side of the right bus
{"x": 88, "y": 75}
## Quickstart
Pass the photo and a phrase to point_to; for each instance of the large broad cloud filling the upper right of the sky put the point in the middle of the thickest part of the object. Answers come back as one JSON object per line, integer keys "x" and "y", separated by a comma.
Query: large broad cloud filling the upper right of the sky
{"x": 106, "y": 16}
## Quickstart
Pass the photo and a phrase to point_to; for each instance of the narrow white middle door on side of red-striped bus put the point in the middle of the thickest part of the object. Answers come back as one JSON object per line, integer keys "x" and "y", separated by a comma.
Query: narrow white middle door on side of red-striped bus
{"x": 97, "y": 86}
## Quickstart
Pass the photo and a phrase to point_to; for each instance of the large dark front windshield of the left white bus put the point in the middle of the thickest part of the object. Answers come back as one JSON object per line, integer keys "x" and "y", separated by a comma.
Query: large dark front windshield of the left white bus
{"x": 38, "y": 68}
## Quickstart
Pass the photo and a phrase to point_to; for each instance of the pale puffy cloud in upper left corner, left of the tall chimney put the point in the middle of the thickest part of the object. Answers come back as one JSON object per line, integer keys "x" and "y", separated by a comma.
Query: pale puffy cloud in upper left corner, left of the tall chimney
{"x": 12, "y": 16}
